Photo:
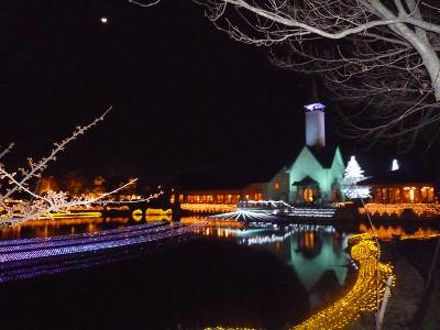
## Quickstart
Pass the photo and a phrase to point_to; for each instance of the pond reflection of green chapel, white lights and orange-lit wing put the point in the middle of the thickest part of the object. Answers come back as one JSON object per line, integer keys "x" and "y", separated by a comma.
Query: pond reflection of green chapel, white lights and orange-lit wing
{"x": 315, "y": 252}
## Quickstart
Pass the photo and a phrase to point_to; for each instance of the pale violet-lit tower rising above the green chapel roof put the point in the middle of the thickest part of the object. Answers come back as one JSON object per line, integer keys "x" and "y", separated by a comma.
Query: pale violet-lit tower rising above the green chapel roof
{"x": 315, "y": 124}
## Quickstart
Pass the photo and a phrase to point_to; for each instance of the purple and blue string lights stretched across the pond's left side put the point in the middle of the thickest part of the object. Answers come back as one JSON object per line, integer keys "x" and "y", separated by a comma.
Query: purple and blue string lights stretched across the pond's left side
{"x": 22, "y": 258}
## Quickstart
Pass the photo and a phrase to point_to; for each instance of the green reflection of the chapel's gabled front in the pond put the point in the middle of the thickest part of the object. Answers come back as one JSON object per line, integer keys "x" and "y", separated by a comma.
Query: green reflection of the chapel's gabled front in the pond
{"x": 311, "y": 269}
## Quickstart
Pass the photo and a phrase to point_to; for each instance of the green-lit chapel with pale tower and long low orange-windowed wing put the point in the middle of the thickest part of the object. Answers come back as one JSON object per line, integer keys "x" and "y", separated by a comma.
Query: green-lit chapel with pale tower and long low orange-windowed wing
{"x": 314, "y": 177}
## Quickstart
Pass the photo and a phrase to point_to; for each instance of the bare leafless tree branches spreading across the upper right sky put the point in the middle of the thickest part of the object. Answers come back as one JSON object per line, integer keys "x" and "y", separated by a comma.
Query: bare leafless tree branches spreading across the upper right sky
{"x": 378, "y": 54}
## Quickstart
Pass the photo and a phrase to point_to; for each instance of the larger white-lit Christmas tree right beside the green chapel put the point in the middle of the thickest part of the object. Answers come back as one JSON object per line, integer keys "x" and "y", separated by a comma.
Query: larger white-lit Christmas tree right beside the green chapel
{"x": 352, "y": 175}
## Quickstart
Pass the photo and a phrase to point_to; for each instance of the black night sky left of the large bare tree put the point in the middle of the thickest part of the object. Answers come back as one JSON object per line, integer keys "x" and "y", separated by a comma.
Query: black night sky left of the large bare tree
{"x": 184, "y": 95}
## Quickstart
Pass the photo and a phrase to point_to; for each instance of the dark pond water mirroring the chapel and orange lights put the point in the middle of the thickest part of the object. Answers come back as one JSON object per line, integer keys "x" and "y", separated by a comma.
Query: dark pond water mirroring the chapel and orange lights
{"x": 259, "y": 275}
